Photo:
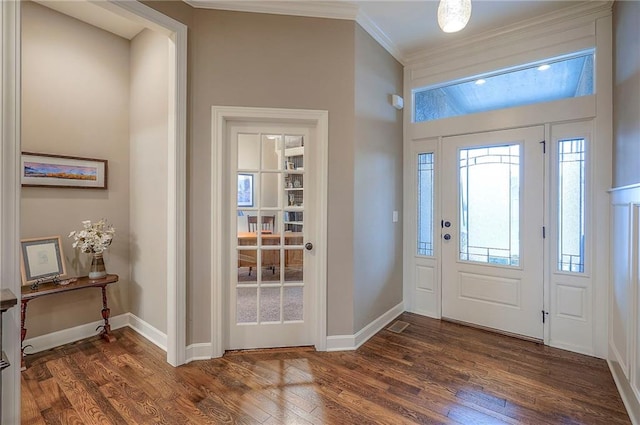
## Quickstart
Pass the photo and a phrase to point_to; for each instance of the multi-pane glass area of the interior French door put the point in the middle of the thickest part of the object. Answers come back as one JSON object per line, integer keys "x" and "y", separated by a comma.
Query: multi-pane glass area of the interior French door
{"x": 270, "y": 221}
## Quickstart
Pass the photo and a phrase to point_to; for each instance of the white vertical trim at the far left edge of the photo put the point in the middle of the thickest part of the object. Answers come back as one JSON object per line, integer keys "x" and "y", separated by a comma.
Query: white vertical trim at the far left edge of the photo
{"x": 10, "y": 74}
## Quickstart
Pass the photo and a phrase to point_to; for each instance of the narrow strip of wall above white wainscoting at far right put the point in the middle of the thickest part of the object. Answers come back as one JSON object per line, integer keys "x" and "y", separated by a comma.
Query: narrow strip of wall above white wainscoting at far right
{"x": 626, "y": 95}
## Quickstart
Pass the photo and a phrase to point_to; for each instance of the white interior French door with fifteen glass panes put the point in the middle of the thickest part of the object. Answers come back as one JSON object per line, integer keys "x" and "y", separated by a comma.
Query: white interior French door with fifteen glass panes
{"x": 271, "y": 203}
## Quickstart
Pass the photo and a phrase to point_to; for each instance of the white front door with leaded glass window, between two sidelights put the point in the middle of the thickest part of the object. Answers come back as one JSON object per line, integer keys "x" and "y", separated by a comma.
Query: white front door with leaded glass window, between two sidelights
{"x": 492, "y": 230}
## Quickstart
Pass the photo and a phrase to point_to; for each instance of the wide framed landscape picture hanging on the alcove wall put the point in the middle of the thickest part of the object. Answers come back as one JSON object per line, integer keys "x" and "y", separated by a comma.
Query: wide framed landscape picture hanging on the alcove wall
{"x": 47, "y": 170}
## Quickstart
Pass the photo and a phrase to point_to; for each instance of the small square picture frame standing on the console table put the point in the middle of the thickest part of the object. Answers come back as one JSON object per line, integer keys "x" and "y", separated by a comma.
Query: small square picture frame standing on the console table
{"x": 42, "y": 259}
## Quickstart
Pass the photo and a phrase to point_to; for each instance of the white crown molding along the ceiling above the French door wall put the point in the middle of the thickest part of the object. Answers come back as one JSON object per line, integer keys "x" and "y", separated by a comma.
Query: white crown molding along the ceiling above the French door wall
{"x": 315, "y": 9}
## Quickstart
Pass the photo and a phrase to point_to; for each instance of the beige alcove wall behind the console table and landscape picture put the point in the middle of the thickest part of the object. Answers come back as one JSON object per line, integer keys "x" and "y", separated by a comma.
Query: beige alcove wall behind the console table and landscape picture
{"x": 75, "y": 93}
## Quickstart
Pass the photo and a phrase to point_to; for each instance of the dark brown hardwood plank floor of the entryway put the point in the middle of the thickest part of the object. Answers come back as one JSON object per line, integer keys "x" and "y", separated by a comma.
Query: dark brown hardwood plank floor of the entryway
{"x": 432, "y": 373}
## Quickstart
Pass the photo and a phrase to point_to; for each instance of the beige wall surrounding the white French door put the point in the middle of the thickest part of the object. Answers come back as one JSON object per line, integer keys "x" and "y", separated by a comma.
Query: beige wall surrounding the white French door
{"x": 247, "y": 59}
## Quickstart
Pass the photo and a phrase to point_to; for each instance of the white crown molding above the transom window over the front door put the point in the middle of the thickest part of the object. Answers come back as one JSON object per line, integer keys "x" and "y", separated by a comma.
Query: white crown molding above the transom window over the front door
{"x": 587, "y": 10}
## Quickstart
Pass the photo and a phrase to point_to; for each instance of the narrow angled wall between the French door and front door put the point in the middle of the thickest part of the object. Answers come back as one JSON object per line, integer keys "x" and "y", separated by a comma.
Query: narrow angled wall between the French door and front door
{"x": 378, "y": 182}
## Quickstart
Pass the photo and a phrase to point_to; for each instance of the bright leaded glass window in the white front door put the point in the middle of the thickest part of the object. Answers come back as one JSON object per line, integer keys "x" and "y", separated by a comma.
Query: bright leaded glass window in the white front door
{"x": 490, "y": 205}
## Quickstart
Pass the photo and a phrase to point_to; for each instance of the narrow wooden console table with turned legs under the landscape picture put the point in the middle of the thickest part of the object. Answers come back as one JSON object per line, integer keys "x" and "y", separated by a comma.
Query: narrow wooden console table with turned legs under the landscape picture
{"x": 51, "y": 288}
